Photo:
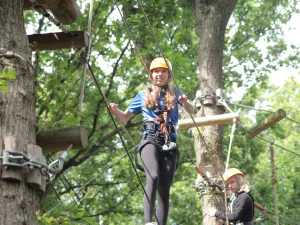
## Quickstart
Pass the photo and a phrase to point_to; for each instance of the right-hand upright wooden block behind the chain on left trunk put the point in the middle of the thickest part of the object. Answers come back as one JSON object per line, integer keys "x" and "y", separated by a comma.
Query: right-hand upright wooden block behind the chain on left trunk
{"x": 34, "y": 177}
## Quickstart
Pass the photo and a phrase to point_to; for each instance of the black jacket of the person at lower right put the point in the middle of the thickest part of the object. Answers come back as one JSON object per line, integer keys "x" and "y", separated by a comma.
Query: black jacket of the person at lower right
{"x": 242, "y": 209}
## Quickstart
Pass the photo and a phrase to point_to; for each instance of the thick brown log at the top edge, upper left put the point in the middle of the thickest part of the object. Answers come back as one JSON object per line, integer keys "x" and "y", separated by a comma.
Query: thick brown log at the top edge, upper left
{"x": 65, "y": 11}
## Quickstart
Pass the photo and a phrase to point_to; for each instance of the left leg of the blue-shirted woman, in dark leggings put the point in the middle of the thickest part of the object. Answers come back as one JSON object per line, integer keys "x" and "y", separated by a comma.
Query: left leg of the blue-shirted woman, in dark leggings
{"x": 149, "y": 158}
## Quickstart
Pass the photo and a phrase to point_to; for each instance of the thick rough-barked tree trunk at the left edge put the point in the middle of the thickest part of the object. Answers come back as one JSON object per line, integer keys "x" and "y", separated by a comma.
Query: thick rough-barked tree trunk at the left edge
{"x": 17, "y": 112}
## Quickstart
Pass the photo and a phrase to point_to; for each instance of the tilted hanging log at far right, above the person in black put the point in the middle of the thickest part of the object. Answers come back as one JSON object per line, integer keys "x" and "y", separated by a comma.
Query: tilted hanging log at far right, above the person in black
{"x": 266, "y": 123}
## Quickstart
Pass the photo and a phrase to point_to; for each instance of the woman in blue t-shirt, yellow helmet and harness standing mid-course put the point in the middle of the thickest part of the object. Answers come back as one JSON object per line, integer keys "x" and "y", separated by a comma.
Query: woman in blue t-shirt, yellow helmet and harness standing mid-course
{"x": 157, "y": 148}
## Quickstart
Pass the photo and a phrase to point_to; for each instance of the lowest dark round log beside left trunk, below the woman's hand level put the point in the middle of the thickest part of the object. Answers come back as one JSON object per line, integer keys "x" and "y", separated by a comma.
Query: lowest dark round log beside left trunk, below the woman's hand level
{"x": 57, "y": 140}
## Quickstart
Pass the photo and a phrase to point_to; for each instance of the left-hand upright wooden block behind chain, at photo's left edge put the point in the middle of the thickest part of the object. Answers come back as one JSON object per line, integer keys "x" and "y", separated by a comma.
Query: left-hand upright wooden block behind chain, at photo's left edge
{"x": 11, "y": 173}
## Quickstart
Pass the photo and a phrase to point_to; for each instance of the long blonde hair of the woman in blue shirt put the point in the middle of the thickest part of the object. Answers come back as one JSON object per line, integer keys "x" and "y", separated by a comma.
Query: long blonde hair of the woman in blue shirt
{"x": 152, "y": 92}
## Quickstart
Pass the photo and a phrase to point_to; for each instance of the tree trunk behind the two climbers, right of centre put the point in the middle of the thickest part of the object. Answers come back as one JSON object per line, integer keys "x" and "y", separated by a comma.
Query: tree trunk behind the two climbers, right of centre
{"x": 211, "y": 21}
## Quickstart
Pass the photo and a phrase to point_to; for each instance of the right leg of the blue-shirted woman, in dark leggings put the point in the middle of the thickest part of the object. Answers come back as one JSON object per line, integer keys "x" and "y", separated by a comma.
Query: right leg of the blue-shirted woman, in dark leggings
{"x": 167, "y": 167}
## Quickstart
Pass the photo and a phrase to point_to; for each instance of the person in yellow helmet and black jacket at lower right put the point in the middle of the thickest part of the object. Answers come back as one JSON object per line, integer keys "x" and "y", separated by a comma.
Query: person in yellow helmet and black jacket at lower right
{"x": 241, "y": 208}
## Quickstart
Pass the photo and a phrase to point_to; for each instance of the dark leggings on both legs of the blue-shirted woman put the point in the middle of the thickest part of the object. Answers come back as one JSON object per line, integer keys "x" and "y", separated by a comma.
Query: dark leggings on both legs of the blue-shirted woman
{"x": 159, "y": 169}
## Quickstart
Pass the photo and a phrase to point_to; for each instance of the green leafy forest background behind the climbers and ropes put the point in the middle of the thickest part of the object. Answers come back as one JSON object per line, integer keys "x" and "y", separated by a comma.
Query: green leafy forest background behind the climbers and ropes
{"x": 98, "y": 184}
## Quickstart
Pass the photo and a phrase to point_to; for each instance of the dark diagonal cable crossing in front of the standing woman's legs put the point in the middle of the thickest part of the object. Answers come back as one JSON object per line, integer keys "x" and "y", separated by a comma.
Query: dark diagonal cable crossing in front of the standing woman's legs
{"x": 121, "y": 138}
